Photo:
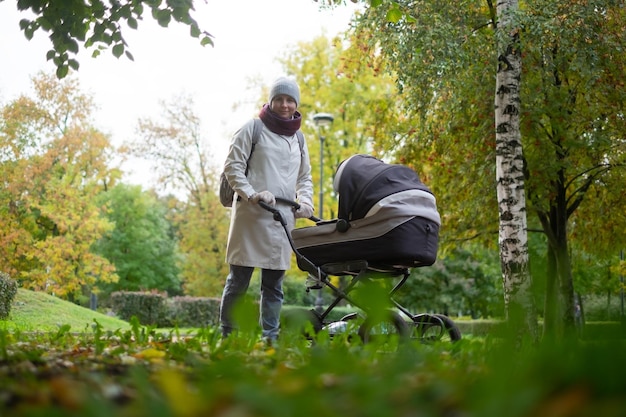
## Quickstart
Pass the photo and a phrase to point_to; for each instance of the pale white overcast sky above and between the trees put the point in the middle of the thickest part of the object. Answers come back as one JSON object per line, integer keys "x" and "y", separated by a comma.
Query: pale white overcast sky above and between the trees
{"x": 248, "y": 34}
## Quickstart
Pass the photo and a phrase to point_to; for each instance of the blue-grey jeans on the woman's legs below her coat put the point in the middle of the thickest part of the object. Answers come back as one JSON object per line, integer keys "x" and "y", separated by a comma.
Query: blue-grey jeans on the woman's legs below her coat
{"x": 236, "y": 286}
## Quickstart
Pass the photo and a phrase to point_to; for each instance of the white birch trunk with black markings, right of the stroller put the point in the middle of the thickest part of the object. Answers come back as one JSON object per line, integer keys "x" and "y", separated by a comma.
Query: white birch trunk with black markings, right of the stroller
{"x": 513, "y": 237}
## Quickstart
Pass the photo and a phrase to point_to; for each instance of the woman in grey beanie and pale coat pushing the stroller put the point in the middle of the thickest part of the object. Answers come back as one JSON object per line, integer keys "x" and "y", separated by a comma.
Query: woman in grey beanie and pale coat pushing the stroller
{"x": 278, "y": 167}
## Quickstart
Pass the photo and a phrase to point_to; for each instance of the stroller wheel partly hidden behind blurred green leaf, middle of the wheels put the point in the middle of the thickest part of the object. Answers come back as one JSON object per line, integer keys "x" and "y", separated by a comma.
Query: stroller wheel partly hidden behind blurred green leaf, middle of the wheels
{"x": 388, "y": 329}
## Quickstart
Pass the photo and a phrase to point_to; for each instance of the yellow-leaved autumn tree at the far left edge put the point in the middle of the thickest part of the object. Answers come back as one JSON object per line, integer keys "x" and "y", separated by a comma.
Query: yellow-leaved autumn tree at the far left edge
{"x": 53, "y": 165}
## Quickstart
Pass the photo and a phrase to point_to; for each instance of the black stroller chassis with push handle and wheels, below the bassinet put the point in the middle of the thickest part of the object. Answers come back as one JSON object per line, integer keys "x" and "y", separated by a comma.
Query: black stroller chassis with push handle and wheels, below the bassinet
{"x": 424, "y": 326}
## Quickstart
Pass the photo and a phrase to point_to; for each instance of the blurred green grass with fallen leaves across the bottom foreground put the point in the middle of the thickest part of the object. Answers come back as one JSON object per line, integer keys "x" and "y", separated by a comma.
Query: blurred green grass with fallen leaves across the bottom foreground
{"x": 138, "y": 372}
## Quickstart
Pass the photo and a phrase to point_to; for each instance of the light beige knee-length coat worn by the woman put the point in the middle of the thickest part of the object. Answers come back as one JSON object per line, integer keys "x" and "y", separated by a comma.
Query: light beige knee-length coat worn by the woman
{"x": 255, "y": 239}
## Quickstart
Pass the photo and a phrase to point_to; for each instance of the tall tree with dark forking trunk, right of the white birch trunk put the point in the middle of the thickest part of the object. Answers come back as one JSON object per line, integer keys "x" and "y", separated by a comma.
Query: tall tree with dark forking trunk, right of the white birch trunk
{"x": 576, "y": 133}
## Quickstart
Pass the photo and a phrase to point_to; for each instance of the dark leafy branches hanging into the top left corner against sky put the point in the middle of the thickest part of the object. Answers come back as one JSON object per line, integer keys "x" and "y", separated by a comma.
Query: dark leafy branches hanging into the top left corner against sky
{"x": 98, "y": 24}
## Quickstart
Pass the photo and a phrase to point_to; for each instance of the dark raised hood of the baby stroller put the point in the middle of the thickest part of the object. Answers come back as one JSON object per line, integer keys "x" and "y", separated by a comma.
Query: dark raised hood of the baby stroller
{"x": 362, "y": 181}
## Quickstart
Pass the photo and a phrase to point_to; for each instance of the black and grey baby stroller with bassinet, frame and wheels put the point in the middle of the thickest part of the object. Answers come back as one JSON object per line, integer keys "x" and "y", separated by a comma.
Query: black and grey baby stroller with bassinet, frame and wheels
{"x": 387, "y": 224}
